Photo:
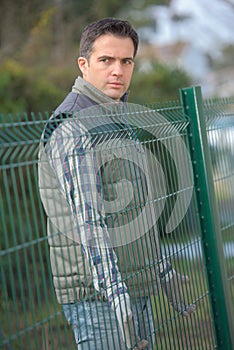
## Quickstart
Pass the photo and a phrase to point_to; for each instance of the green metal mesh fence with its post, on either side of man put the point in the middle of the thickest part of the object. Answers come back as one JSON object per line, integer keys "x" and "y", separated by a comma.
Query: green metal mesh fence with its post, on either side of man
{"x": 192, "y": 142}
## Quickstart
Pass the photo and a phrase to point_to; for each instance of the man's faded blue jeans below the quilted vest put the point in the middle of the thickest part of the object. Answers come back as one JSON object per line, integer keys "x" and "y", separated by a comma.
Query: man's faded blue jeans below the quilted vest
{"x": 95, "y": 326}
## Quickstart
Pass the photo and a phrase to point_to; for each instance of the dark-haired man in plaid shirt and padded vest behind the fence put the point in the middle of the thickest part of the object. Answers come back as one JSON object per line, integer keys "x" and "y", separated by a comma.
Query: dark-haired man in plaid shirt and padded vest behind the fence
{"x": 104, "y": 288}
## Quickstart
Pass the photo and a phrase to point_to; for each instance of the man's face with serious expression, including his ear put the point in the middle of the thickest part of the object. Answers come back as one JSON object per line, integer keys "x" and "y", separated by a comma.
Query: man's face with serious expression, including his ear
{"x": 110, "y": 65}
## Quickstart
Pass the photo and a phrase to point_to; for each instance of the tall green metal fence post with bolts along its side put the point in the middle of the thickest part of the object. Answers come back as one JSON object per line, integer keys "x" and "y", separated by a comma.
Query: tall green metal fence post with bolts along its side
{"x": 191, "y": 99}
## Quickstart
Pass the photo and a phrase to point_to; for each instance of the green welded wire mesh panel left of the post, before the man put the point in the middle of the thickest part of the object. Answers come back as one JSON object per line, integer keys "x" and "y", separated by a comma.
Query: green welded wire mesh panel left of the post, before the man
{"x": 133, "y": 168}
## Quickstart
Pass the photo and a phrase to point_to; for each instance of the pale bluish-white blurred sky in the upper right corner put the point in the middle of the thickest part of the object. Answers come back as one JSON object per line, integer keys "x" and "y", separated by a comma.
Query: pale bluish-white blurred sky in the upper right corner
{"x": 208, "y": 26}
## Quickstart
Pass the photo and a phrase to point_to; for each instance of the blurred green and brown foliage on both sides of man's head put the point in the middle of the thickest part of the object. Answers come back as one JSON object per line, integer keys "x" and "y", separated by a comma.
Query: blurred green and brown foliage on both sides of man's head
{"x": 39, "y": 46}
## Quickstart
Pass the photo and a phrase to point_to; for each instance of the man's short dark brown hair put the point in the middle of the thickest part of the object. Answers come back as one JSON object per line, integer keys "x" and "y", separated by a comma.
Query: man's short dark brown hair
{"x": 106, "y": 26}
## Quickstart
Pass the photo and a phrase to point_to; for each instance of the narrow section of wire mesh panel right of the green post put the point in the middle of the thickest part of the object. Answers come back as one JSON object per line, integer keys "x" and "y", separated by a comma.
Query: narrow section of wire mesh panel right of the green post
{"x": 219, "y": 115}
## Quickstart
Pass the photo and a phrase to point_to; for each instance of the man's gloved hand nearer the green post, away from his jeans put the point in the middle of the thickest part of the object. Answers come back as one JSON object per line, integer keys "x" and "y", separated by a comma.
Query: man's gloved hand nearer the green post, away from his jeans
{"x": 172, "y": 284}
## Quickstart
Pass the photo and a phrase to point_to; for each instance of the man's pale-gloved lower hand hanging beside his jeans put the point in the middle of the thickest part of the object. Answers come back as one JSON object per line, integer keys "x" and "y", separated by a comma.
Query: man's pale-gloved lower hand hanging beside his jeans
{"x": 125, "y": 319}
